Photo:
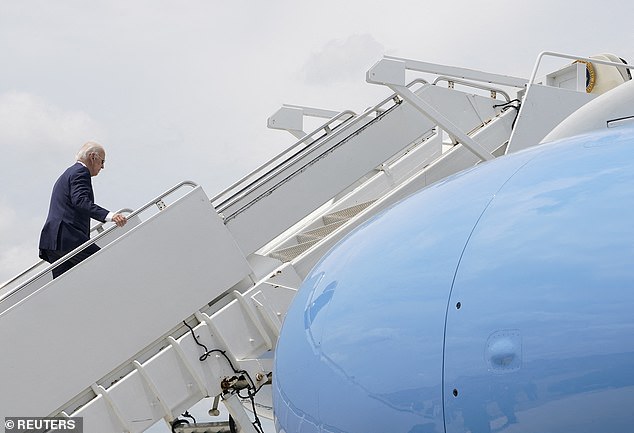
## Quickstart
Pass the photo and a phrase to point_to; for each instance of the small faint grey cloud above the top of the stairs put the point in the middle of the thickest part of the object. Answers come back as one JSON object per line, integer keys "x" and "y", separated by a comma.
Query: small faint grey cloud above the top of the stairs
{"x": 343, "y": 60}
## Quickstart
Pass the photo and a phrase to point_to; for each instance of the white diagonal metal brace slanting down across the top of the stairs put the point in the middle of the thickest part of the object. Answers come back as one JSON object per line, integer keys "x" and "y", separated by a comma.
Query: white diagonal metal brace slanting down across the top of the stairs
{"x": 391, "y": 73}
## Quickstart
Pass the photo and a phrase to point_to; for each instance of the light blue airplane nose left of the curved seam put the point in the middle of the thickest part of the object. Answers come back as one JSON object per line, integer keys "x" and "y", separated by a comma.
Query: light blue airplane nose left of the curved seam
{"x": 361, "y": 348}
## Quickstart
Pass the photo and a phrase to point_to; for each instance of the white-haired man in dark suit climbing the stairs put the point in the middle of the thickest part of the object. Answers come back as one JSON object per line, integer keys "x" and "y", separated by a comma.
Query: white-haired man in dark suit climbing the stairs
{"x": 72, "y": 206}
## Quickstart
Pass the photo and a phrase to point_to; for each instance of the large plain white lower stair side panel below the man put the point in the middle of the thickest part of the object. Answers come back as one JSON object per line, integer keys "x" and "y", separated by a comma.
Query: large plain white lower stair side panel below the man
{"x": 90, "y": 320}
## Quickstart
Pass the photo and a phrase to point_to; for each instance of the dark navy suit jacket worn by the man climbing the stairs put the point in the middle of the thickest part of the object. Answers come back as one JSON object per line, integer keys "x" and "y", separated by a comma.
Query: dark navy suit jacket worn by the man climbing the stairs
{"x": 72, "y": 206}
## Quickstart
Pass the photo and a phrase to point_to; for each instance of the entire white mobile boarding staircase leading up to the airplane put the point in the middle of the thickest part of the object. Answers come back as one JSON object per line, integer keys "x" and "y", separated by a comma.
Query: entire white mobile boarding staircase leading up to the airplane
{"x": 187, "y": 300}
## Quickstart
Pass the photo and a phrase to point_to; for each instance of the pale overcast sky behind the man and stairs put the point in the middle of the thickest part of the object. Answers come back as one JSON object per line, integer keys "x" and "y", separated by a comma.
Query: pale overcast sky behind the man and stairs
{"x": 182, "y": 89}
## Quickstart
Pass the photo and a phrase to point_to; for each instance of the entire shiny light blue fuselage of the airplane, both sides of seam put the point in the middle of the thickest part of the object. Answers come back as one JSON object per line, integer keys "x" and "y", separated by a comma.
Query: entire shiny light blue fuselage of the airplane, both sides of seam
{"x": 498, "y": 300}
